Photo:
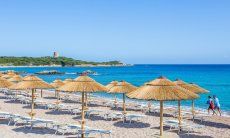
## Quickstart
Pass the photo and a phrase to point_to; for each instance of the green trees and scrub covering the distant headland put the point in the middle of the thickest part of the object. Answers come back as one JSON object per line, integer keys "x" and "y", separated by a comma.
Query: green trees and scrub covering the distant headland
{"x": 49, "y": 61}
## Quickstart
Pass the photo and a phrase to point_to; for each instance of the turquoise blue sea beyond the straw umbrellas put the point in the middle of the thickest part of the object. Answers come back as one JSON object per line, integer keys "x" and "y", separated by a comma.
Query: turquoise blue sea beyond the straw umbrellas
{"x": 215, "y": 78}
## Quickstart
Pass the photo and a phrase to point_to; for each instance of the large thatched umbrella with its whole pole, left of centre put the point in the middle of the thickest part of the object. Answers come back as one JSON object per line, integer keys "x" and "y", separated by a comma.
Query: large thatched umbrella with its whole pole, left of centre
{"x": 83, "y": 84}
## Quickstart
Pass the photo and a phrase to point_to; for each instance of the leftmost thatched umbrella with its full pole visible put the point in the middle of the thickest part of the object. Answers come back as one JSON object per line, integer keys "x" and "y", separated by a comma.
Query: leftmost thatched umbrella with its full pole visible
{"x": 33, "y": 83}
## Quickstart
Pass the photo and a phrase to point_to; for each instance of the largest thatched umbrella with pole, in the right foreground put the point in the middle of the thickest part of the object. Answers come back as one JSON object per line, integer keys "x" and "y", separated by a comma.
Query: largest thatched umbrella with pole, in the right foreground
{"x": 162, "y": 89}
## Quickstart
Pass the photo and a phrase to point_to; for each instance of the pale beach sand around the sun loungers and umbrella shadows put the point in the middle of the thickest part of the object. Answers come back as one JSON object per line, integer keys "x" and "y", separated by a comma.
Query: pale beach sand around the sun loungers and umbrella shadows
{"x": 147, "y": 127}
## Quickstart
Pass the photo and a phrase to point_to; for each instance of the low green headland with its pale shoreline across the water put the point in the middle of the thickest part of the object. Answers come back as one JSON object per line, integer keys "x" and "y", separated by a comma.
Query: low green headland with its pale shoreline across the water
{"x": 9, "y": 61}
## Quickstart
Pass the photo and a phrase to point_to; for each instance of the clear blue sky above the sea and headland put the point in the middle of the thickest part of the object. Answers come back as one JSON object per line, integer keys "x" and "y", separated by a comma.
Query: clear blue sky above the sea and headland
{"x": 133, "y": 31}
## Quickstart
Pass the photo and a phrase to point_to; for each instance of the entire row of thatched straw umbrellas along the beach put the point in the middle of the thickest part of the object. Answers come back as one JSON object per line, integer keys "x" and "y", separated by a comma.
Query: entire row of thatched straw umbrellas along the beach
{"x": 160, "y": 89}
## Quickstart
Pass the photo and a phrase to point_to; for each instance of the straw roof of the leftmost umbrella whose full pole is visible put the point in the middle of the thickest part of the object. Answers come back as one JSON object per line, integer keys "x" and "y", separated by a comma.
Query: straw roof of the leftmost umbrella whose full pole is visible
{"x": 31, "y": 82}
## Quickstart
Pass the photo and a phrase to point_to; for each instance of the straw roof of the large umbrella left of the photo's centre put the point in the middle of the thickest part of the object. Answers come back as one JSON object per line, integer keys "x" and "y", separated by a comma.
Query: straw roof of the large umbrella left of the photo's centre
{"x": 82, "y": 84}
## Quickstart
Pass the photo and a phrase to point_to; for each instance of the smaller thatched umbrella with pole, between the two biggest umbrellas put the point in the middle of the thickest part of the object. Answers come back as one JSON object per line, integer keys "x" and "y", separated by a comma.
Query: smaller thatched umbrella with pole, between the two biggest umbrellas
{"x": 122, "y": 87}
